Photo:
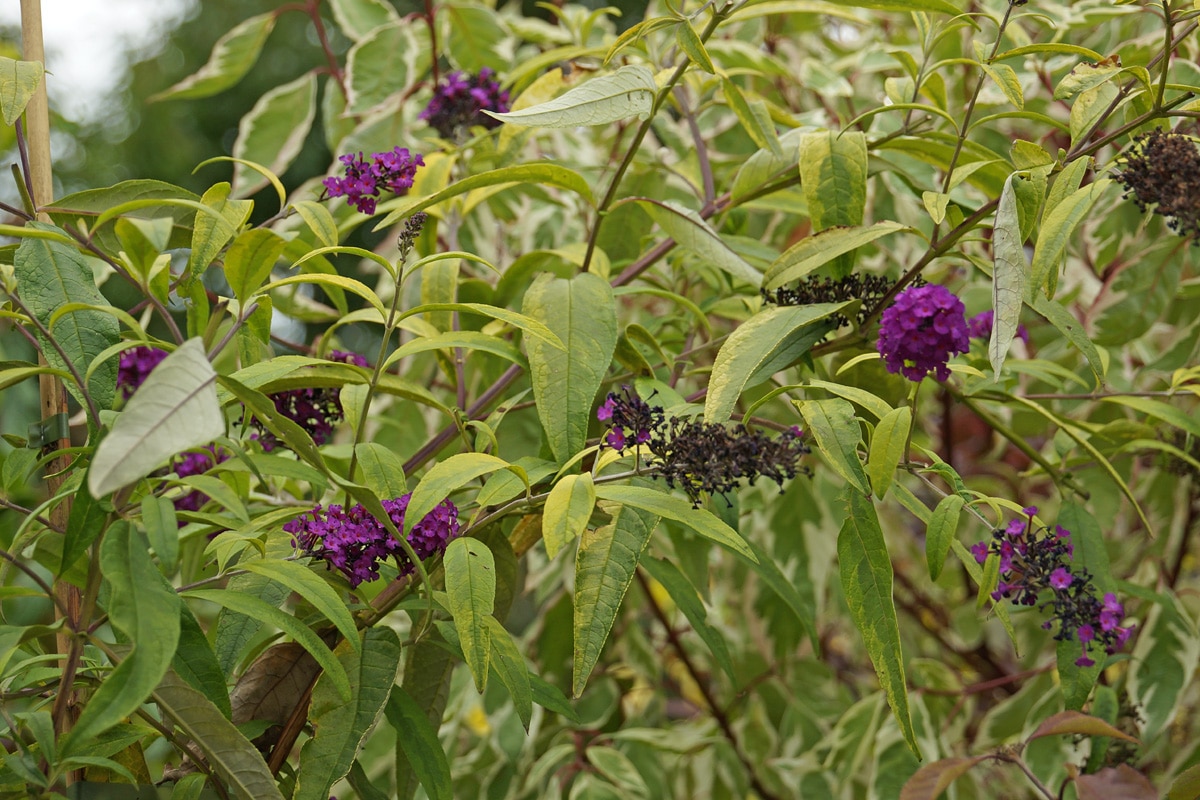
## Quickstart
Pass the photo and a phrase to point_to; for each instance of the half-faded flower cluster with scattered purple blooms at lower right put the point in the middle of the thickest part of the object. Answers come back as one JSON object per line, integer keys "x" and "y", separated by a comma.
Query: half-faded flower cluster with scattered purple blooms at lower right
{"x": 1036, "y": 564}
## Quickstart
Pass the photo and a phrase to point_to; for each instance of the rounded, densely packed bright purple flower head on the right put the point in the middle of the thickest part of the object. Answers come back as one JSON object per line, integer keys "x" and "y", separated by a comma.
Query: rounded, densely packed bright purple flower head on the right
{"x": 922, "y": 330}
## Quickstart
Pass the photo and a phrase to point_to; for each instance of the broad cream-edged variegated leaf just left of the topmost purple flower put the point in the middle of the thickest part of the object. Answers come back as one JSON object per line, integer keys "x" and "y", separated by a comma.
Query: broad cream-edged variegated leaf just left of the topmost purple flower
{"x": 386, "y": 65}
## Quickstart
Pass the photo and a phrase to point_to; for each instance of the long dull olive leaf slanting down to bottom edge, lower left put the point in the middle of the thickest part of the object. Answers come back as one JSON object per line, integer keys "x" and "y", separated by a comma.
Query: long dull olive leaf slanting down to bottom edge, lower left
{"x": 230, "y": 754}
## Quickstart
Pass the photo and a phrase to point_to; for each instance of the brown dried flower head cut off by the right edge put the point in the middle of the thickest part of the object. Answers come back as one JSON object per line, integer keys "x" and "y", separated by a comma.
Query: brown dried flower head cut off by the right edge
{"x": 1163, "y": 173}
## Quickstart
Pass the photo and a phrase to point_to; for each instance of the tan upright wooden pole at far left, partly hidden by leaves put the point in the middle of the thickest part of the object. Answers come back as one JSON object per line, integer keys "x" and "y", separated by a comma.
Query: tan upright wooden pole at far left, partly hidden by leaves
{"x": 53, "y": 395}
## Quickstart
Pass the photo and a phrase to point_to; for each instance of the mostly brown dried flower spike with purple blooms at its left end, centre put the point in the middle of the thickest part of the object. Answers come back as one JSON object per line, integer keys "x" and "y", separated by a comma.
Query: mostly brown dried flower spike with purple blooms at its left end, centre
{"x": 700, "y": 458}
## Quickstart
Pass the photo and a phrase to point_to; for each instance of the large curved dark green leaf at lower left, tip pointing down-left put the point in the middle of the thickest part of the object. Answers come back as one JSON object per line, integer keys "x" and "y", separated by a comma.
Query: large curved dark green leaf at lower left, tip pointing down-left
{"x": 146, "y": 610}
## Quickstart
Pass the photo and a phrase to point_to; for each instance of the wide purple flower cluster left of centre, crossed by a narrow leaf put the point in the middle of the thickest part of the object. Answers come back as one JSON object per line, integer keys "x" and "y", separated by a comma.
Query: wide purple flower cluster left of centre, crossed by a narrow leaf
{"x": 355, "y": 543}
